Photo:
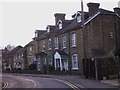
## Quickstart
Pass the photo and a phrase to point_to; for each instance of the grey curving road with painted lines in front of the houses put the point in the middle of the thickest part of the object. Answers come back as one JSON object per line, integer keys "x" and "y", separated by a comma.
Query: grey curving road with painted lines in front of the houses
{"x": 18, "y": 81}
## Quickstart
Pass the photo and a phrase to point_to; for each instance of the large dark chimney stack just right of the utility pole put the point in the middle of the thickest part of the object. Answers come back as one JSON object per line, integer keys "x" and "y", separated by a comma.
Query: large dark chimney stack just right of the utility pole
{"x": 93, "y": 8}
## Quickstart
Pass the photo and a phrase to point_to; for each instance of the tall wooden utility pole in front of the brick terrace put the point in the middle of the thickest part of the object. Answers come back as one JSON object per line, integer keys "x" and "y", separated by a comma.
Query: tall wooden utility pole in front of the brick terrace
{"x": 84, "y": 38}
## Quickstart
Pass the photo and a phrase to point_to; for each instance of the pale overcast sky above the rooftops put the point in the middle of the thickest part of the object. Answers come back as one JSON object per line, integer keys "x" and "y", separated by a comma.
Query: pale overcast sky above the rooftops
{"x": 20, "y": 18}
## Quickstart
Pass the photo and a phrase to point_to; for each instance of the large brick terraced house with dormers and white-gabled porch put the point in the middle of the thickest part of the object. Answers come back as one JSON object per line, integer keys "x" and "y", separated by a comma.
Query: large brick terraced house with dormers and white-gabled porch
{"x": 61, "y": 45}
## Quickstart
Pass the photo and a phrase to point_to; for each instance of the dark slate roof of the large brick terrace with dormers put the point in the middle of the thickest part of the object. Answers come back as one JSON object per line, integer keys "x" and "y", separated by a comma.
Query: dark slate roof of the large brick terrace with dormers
{"x": 69, "y": 25}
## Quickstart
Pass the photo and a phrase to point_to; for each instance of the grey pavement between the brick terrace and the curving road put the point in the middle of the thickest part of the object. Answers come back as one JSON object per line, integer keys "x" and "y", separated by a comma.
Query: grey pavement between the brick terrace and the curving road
{"x": 82, "y": 82}
